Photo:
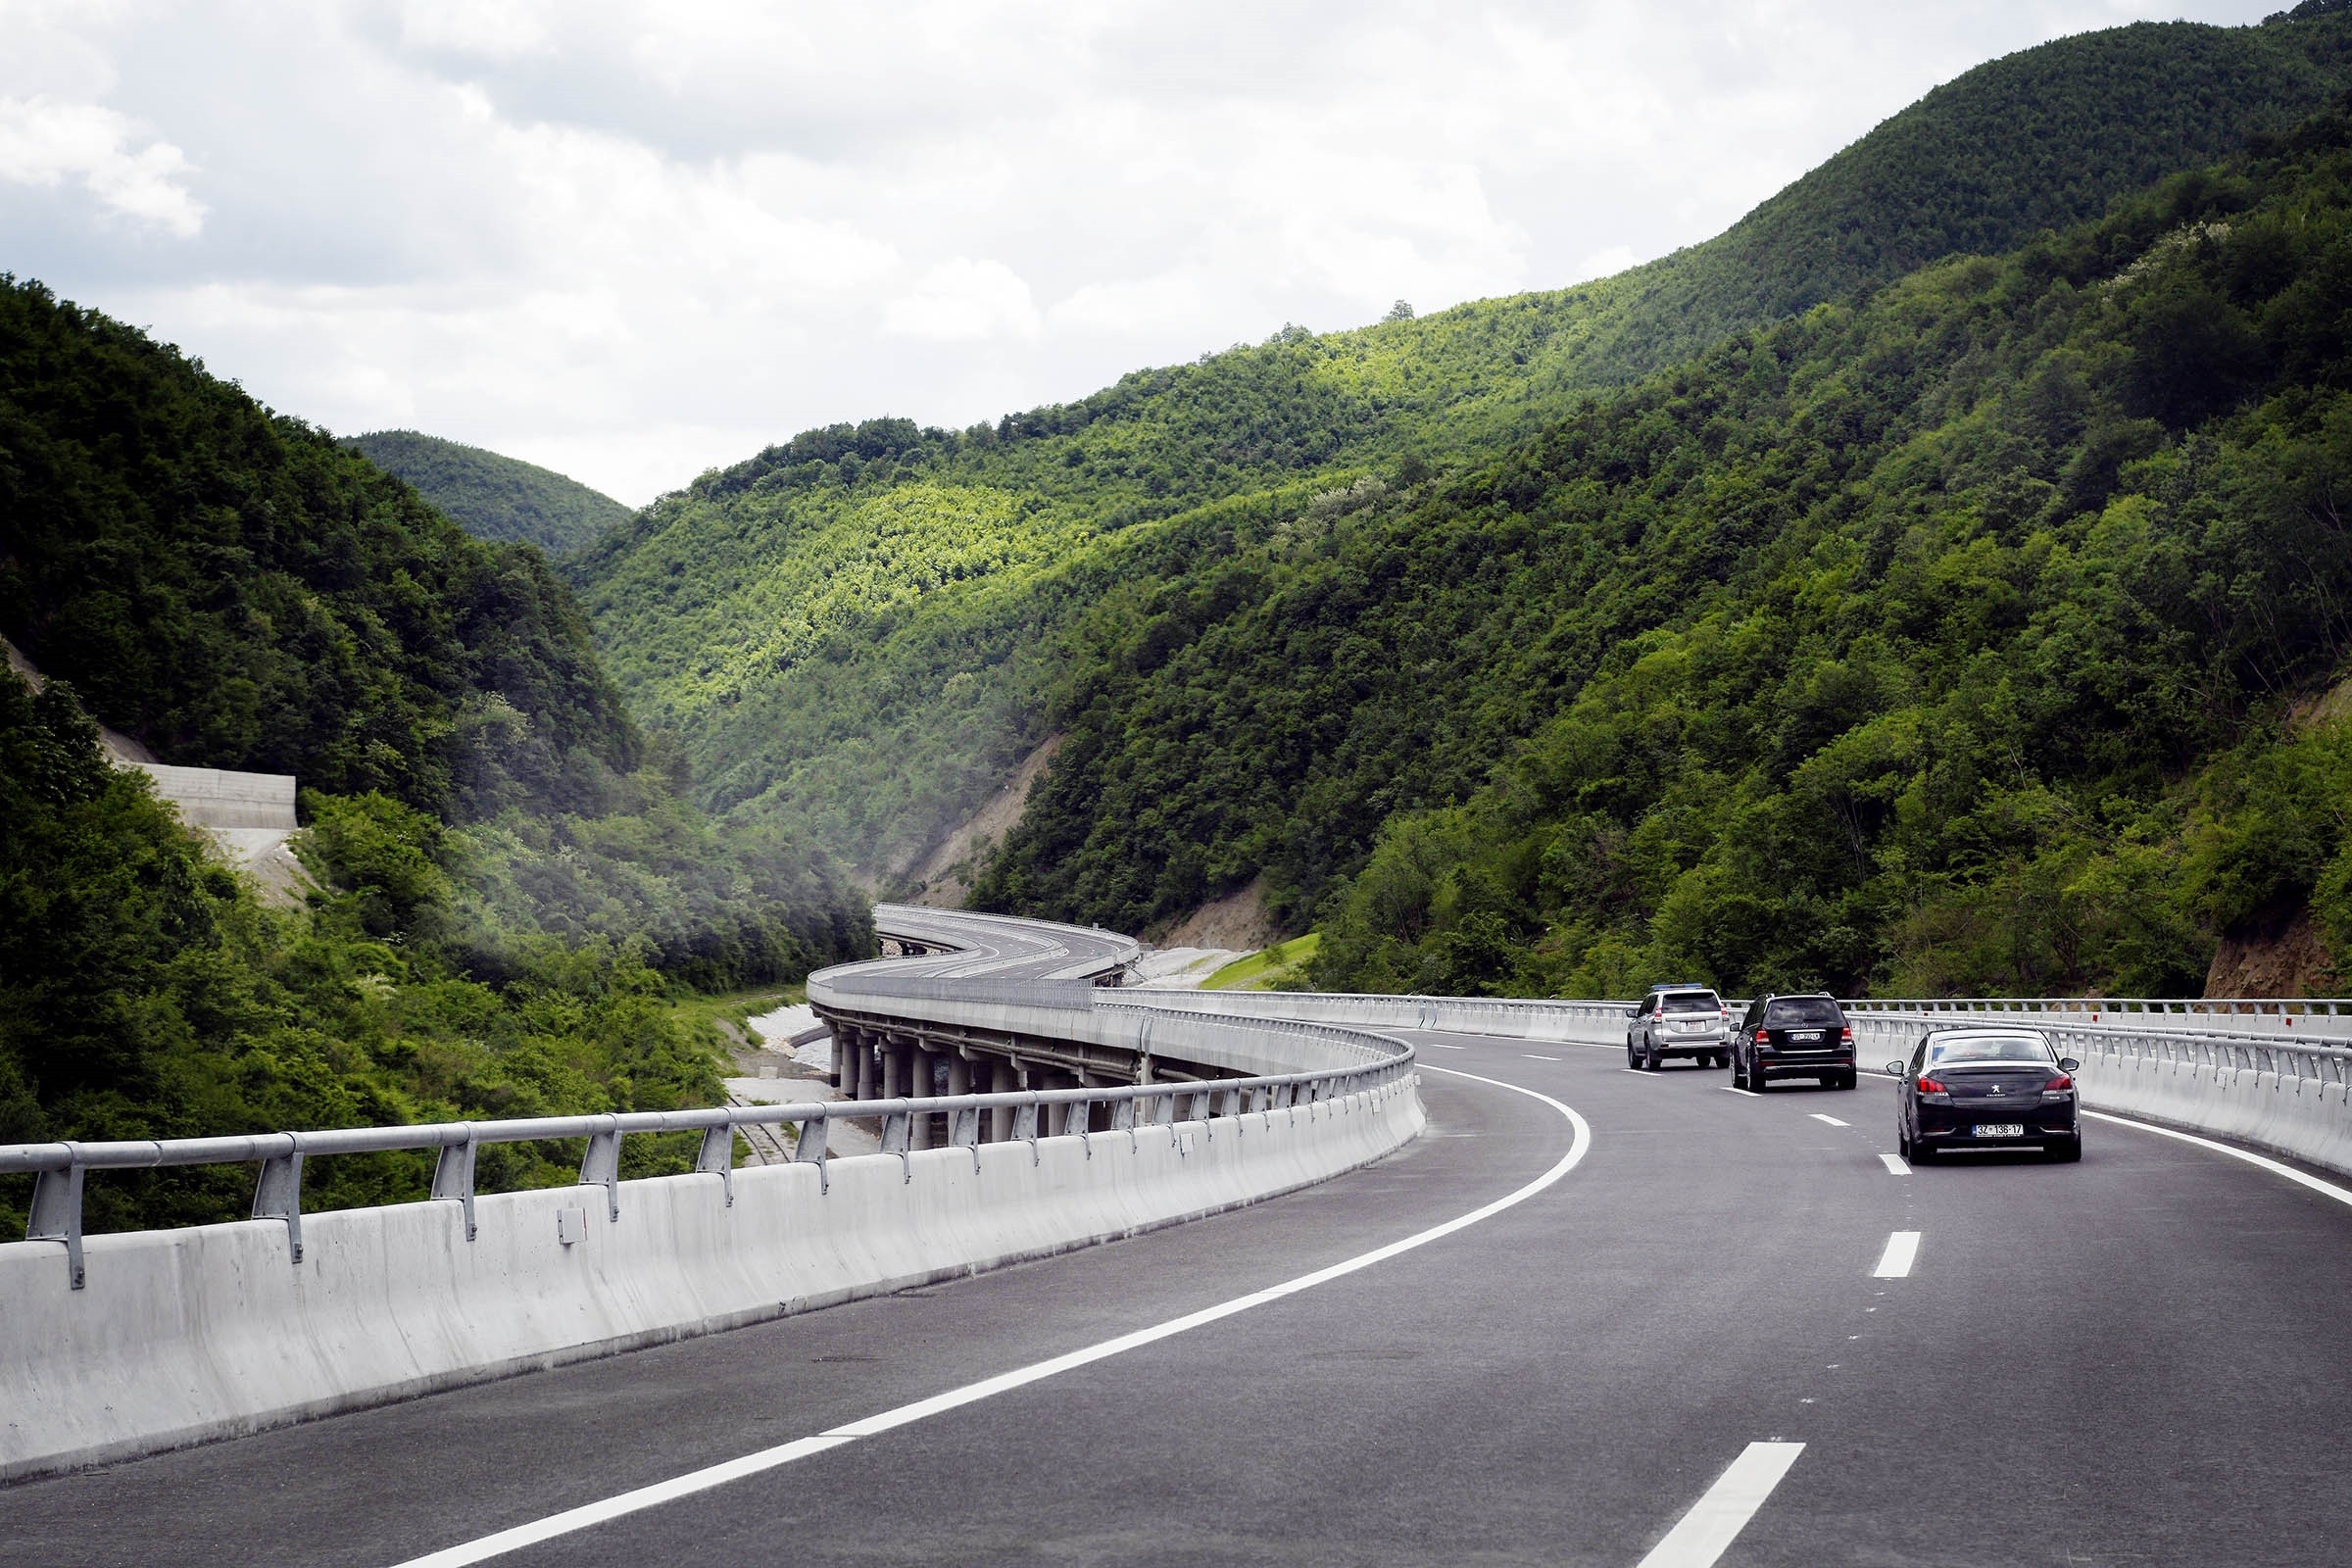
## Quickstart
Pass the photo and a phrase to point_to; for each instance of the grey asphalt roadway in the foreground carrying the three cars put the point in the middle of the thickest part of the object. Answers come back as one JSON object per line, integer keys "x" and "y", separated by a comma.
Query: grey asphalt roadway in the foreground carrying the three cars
{"x": 2137, "y": 1360}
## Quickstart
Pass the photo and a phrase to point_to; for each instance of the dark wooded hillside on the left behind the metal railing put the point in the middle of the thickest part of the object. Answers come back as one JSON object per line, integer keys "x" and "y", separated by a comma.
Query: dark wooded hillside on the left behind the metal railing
{"x": 512, "y": 885}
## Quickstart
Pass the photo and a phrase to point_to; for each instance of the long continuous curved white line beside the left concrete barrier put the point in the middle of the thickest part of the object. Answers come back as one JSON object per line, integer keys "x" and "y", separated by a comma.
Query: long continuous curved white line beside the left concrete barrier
{"x": 973, "y": 1393}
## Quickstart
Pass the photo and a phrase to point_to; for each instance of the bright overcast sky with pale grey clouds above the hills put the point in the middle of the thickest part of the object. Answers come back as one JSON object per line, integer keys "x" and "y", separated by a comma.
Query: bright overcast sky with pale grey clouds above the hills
{"x": 634, "y": 241}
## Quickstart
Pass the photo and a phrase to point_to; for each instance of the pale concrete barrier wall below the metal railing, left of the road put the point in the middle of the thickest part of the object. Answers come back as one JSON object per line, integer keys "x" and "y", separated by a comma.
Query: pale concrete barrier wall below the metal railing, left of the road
{"x": 199, "y": 1334}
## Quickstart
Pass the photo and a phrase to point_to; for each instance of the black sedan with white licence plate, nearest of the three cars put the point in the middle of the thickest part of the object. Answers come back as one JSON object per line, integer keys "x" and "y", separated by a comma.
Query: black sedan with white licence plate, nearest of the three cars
{"x": 1986, "y": 1090}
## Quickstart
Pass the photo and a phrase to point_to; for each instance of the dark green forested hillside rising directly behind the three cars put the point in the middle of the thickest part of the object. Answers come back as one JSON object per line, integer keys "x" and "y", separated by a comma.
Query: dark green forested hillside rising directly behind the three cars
{"x": 1963, "y": 638}
